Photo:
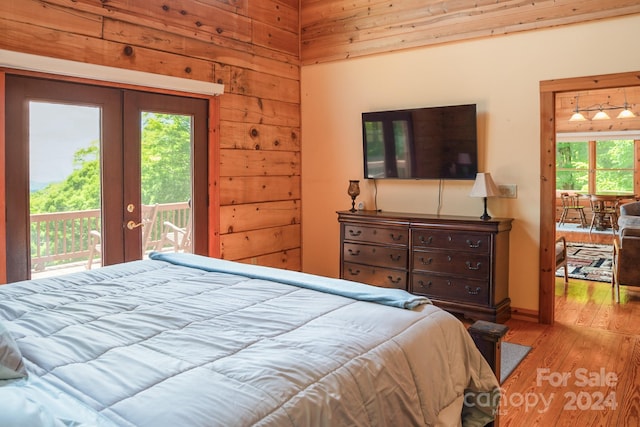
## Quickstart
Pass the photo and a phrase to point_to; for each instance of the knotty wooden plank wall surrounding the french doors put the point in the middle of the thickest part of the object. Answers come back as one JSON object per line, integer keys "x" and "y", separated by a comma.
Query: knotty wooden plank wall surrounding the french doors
{"x": 252, "y": 47}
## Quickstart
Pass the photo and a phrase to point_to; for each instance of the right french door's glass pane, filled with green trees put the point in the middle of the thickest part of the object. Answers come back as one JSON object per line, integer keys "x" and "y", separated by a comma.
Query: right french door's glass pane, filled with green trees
{"x": 166, "y": 182}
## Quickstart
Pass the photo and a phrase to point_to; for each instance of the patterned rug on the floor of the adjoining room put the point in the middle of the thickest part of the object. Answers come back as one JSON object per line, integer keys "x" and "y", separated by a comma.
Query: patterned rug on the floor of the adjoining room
{"x": 588, "y": 262}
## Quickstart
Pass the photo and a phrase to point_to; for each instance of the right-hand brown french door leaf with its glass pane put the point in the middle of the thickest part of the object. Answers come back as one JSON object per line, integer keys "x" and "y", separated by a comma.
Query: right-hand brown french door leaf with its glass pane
{"x": 165, "y": 153}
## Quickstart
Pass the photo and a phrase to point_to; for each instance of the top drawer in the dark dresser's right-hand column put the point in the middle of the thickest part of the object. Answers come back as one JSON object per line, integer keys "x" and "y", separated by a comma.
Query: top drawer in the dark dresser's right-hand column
{"x": 452, "y": 240}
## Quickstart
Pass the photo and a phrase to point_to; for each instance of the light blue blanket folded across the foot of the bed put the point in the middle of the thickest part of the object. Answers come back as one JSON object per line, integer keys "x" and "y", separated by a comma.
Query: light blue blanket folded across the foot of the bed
{"x": 346, "y": 288}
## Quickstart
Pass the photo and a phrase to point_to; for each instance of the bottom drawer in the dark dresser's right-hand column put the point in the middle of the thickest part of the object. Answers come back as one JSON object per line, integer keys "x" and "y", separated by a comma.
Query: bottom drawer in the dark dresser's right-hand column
{"x": 450, "y": 288}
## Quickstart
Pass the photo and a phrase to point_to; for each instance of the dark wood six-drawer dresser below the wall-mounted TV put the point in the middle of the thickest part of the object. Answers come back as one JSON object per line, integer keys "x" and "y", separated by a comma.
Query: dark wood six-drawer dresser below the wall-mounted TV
{"x": 460, "y": 263}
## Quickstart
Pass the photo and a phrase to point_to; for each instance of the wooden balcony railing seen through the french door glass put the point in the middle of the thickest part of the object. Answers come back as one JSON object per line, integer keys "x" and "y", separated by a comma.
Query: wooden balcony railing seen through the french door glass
{"x": 62, "y": 239}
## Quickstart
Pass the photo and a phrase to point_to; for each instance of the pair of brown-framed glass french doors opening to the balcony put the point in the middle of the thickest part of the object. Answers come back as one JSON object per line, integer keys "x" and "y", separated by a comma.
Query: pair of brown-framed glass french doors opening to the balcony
{"x": 105, "y": 171}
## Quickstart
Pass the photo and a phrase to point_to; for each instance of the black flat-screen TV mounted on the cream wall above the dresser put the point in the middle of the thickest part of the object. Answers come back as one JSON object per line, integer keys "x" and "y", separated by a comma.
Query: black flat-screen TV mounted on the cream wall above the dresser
{"x": 421, "y": 143}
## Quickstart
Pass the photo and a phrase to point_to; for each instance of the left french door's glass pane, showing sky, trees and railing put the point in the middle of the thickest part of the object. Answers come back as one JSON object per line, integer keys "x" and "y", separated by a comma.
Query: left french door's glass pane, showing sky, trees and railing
{"x": 64, "y": 186}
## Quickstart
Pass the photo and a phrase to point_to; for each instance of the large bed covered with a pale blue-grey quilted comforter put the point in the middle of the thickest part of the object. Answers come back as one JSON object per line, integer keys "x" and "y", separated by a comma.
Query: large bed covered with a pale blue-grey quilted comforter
{"x": 187, "y": 340}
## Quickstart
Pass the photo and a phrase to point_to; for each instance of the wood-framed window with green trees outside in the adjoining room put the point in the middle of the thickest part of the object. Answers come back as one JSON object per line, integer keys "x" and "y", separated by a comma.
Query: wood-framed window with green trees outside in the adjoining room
{"x": 605, "y": 166}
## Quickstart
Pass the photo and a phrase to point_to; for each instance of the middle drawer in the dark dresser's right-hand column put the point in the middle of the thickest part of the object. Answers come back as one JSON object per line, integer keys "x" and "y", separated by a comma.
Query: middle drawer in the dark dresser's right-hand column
{"x": 459, "y": 263}
